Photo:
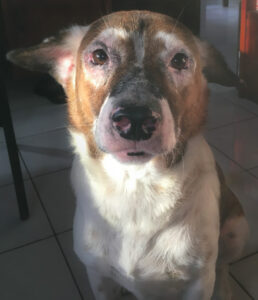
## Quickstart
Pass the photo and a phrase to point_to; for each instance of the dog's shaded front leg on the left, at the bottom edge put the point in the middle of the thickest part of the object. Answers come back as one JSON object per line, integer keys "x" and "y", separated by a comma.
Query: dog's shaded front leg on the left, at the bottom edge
{"x": 103, "y": 288}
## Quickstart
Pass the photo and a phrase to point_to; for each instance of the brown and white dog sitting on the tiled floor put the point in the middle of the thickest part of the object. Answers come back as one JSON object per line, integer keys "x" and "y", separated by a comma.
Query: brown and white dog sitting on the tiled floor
{"x": 154, "y": 216}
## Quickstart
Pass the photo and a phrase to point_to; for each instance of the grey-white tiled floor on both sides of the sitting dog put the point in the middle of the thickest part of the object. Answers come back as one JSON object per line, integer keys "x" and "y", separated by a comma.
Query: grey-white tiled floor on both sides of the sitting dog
{"x": 36, "y": 257}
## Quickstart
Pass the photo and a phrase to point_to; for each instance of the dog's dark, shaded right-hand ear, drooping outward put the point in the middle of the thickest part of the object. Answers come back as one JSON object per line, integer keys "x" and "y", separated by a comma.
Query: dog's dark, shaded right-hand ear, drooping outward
{"x": 215, "y": 68}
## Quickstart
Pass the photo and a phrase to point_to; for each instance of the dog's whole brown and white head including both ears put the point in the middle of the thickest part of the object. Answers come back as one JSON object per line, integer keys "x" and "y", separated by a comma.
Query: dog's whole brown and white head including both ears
{"x": 134, "y": 82}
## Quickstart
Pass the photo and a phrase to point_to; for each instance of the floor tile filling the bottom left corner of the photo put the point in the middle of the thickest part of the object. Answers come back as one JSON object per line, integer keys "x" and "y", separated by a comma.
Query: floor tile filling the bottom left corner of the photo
{"x": 36, "y": 272}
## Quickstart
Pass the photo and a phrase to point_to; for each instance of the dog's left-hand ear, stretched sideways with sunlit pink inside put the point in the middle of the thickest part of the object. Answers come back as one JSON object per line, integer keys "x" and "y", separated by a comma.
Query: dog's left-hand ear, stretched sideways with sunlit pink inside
{"x": 55, "y": 55}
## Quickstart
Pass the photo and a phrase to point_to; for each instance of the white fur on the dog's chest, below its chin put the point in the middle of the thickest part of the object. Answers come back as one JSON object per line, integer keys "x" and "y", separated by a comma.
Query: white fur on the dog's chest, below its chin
{"x": 146, "y": 221}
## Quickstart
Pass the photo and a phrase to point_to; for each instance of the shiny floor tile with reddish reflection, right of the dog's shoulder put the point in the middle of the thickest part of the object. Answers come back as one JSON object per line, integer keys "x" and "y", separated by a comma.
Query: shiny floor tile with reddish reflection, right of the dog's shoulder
{"x": 238, "y": 141}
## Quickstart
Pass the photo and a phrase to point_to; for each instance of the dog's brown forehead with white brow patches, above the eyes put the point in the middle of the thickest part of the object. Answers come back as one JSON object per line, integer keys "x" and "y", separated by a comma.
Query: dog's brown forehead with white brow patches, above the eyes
{"x": 139, "y": 26}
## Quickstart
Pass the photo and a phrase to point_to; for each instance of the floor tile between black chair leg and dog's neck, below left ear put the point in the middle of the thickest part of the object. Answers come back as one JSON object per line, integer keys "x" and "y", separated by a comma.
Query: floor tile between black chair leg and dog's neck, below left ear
{"x": 38, "y": 119}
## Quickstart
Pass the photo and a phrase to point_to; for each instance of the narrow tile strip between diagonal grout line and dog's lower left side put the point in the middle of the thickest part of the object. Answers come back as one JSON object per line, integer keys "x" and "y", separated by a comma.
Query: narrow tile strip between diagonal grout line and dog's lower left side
{"x": 77, "y": 266}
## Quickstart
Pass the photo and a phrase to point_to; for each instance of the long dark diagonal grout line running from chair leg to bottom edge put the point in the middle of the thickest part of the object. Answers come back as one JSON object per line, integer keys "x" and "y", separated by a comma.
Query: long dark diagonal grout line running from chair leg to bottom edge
{"x": 55, "y": 235}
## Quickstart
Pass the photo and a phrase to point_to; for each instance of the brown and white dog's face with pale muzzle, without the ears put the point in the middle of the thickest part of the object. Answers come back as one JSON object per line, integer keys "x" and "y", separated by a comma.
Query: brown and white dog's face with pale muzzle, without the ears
{"x": 145, "y": 74}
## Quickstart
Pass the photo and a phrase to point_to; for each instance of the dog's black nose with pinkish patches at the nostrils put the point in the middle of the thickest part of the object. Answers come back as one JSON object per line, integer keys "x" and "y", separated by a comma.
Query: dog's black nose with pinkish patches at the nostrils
{"x": 135, "y": 123}
